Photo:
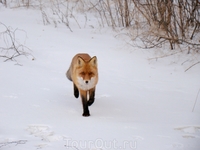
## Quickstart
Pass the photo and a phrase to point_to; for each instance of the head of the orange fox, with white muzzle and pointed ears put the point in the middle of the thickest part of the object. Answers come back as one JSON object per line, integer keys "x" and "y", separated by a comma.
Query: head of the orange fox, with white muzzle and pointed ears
{"x": 86, "y": 73}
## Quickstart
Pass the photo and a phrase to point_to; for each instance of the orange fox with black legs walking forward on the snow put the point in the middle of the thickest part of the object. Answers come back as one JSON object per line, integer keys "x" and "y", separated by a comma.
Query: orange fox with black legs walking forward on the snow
{"x": 83, "y": 72}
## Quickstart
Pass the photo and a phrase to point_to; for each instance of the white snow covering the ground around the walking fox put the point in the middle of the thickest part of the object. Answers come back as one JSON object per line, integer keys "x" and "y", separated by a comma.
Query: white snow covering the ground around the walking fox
{"x": 140, "y": 103}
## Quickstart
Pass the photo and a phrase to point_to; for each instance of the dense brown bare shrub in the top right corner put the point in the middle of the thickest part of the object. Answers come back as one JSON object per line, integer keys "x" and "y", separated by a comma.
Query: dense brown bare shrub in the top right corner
{"x": 175, "y": 22}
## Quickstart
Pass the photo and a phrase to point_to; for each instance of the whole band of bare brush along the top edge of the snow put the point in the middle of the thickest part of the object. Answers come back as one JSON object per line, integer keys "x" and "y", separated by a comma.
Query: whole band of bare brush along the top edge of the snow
{"x": 153, "y": 22}
